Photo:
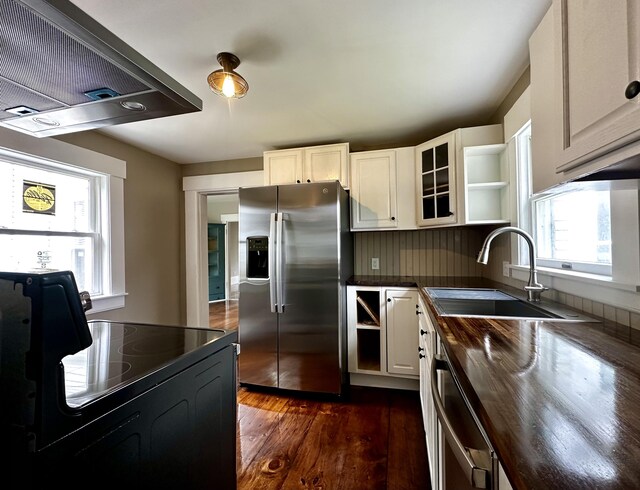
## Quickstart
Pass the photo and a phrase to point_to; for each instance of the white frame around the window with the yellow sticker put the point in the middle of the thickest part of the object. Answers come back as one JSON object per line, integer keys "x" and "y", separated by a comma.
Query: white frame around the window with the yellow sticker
{"x": 26, "y": 149}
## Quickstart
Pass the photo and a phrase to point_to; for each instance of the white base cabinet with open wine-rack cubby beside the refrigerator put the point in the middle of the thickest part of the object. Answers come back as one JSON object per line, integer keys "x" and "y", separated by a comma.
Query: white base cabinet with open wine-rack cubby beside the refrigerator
{"x": 382, "y": 331}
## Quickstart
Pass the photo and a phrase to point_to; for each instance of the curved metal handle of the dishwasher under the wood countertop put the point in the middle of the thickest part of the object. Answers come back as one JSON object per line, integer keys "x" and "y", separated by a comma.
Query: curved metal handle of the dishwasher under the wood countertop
{"x": 467, "y": 458}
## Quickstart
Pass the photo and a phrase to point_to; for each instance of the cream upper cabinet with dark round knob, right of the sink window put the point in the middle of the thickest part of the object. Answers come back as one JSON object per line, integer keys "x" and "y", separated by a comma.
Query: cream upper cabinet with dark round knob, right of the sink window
{"x": 585, "y": 78}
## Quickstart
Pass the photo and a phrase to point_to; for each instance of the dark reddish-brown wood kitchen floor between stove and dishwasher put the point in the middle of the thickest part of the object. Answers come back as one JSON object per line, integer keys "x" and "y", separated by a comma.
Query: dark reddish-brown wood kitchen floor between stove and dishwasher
{"x": 373, "y": 440}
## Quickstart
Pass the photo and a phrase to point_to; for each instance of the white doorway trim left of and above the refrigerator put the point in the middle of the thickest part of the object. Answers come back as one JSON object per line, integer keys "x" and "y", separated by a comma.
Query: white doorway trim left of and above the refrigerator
{"x": 196, "y": 189}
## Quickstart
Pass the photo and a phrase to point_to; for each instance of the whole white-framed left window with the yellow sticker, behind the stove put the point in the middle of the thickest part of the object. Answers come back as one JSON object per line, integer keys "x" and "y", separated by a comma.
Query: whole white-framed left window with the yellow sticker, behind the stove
{"x": 62, "y": 208}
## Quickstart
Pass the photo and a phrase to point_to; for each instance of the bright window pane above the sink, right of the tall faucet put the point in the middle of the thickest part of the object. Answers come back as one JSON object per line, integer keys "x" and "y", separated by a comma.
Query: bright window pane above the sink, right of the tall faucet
{"x": 575, "y": 227}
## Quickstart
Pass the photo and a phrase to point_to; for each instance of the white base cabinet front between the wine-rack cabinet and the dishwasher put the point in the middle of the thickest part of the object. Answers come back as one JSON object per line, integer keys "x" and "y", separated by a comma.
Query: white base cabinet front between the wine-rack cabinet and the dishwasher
{"x": 426, "y": 352}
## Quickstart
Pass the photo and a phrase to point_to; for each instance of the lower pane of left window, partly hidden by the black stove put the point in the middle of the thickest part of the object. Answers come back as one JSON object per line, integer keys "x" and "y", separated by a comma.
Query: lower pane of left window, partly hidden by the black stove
{"x": 30, "y": 253}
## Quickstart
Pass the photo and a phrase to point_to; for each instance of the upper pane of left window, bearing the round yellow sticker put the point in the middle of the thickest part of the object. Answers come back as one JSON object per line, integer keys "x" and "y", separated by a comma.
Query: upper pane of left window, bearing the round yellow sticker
{"x": 63, "y": 205}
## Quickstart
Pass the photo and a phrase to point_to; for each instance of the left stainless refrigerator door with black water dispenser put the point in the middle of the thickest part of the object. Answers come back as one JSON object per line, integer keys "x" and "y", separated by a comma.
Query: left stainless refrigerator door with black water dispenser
{"x": 258, "y": 318}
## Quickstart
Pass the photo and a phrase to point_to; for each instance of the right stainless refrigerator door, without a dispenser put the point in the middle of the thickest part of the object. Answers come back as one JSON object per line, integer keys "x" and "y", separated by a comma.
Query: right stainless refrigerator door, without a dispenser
{"x": 310, "y": 321}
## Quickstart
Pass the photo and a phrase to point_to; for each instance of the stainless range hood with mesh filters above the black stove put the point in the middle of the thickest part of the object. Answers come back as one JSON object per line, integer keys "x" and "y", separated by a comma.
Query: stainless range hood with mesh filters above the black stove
{"x": 61, "y": 72}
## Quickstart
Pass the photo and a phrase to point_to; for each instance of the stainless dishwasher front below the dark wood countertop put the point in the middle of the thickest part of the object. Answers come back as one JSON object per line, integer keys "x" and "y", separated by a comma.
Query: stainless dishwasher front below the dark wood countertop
{"x": 467, "y": 458}
